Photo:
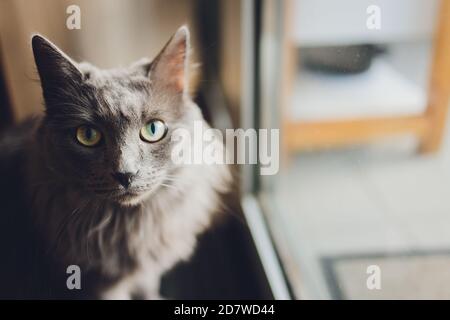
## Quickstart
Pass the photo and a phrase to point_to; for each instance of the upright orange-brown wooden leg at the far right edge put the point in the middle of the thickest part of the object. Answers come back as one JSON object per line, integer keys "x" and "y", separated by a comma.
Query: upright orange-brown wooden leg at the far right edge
{"x": 439, "y": 86}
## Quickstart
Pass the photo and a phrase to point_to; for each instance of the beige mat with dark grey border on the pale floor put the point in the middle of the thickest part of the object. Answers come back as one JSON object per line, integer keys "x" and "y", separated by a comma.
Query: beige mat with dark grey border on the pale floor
{"x": 404, "y": 275}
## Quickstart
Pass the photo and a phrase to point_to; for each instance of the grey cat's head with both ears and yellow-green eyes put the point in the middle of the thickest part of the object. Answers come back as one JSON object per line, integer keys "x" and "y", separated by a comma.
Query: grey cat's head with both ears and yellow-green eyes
{"x": 108, "y": 131}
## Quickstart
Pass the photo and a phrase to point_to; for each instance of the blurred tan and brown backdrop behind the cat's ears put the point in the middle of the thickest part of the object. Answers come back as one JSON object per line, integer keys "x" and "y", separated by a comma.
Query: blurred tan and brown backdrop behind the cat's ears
{"x": 116, "y": 33}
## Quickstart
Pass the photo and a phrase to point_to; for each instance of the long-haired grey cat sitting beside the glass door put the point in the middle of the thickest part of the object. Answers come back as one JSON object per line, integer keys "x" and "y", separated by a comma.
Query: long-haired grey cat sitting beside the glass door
{"x": 91, "y": 182}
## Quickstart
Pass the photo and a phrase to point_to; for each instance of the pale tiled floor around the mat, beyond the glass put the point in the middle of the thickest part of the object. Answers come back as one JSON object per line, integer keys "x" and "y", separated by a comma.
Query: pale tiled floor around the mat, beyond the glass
{"x": 381, "y": 198}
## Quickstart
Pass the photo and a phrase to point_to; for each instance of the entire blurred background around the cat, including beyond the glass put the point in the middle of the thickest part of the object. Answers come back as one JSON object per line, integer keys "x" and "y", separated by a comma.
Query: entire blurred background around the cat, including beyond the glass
{"x": 359, "y": 90}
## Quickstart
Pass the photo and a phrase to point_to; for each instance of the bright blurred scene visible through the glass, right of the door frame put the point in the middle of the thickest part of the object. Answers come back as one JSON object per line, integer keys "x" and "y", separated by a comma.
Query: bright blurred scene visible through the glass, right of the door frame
{"x": 360, "y": 91}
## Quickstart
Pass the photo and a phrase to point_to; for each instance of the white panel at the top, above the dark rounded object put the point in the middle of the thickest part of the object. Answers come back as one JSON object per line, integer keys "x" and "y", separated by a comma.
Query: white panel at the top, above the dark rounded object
{"x": 331, "y": 22}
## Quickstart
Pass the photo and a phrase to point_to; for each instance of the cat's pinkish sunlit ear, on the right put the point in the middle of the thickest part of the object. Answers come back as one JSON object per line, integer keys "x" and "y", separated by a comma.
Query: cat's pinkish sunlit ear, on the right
{"x": 169, "y": 69}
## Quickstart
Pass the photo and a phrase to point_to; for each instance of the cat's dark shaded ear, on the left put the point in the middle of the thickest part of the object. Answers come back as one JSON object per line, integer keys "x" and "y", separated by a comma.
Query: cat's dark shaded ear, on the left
{"x": 54, "y": 66}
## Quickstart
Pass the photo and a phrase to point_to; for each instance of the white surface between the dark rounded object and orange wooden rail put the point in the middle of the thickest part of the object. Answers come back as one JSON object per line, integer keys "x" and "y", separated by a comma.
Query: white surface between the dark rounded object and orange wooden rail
{"x": 380, "y": 91}
